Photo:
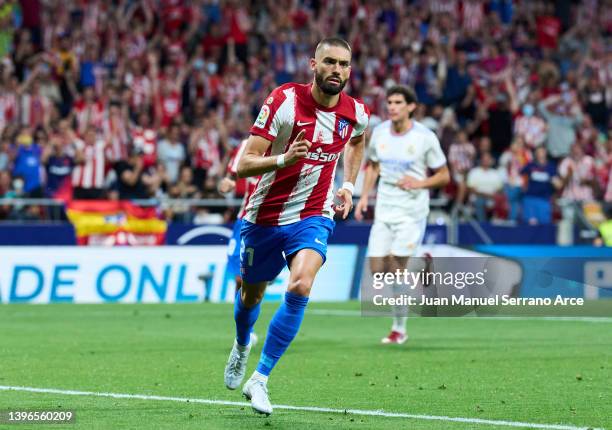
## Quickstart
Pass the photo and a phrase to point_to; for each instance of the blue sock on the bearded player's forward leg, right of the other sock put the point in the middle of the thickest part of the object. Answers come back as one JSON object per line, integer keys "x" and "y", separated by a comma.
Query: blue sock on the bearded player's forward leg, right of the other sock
{"x": 283, "y": 328}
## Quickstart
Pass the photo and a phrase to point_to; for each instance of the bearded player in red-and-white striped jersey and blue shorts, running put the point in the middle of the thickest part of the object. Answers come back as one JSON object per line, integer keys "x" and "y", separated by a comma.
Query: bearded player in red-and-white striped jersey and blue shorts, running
{"x": 295, "y": 145}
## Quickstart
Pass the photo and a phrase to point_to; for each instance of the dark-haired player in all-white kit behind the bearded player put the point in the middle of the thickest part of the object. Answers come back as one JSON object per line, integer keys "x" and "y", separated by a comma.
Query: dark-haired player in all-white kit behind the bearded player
{"x": 400, "y": 152}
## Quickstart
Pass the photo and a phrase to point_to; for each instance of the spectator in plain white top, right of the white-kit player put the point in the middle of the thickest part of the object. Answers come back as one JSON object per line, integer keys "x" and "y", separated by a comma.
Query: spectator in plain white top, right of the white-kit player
{"x": 484, "y": 183}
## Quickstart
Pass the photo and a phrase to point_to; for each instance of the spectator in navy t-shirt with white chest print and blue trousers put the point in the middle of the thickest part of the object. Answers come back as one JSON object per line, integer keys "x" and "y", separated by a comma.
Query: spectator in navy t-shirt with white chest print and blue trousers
{"x": 540, "y": 184}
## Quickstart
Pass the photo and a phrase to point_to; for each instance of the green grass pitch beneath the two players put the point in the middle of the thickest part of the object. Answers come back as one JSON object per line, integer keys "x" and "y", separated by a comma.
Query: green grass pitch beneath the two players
{"x": 533, "y": 371}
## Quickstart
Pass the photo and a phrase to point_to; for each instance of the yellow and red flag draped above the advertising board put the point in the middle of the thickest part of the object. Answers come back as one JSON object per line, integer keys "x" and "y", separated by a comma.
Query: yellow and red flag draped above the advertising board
{"x": 115, "y": 222}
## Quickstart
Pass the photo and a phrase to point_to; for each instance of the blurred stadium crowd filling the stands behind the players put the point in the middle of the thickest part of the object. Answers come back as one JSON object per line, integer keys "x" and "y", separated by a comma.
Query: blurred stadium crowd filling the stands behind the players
{"x": 132, "y": 99}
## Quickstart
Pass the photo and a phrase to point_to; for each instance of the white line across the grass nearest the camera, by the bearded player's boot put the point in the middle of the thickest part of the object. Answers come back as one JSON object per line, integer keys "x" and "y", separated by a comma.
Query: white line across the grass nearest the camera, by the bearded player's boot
{"x": 377, "y": 413}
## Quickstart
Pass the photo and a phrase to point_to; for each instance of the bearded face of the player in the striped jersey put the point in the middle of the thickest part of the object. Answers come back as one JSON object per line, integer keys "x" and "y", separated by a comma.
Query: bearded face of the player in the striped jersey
{"x": 332, "y": 68}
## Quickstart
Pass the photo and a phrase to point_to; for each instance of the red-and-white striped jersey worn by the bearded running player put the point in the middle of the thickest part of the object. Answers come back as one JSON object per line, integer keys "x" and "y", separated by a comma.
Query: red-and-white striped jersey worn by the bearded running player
{"x": 292, "y": 193}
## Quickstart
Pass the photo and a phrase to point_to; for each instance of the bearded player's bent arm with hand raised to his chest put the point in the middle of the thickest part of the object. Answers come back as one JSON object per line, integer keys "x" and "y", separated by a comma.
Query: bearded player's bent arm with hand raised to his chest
{"x": 254, "y": 163}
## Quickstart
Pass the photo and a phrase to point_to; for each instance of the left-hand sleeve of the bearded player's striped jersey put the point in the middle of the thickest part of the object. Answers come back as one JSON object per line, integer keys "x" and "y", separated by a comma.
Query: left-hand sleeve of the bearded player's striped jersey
{"x": 276, "y": 113}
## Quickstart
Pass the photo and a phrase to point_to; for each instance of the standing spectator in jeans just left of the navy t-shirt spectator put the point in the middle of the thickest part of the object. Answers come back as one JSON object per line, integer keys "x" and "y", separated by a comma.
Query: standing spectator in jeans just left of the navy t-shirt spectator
{"x": 511, "y": 163}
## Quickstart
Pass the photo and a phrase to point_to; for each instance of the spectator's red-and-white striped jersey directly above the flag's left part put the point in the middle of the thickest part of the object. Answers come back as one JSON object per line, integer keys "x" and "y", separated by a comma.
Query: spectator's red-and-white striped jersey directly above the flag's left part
{"x": 92, "y": 173}
